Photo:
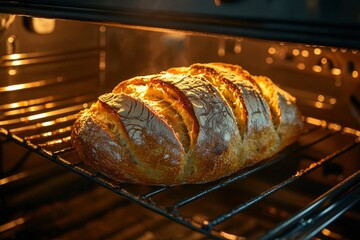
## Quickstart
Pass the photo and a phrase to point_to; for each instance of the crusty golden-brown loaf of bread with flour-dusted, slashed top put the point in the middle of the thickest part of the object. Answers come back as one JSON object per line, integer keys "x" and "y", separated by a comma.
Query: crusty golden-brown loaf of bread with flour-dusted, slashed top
{"x": 186, "y": 125}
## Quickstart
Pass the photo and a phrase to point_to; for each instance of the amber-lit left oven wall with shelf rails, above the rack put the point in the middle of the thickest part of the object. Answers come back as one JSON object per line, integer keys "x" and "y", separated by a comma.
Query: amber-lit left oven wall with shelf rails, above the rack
{"x": 40, "y": 54}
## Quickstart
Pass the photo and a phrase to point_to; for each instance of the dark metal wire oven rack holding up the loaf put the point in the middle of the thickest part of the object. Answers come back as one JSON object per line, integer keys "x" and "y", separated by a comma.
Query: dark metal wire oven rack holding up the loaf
{"x": 48, "y": 134}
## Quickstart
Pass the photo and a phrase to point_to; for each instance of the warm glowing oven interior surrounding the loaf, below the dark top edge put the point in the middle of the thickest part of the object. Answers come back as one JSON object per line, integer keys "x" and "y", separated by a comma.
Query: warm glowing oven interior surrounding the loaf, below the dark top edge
{"x": 51, "y": 69}
